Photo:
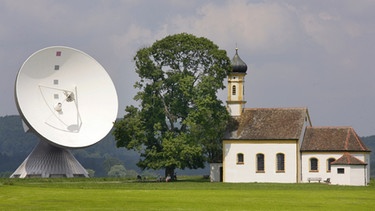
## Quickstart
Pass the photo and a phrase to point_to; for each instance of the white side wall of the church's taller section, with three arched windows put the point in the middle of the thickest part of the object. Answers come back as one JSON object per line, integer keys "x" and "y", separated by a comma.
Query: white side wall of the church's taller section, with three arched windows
{"x": 247, "y": 172}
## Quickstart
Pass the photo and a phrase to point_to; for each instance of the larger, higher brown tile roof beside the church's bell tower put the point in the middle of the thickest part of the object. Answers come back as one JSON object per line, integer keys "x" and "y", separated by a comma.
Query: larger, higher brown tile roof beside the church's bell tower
{"x": 270, "y": 123}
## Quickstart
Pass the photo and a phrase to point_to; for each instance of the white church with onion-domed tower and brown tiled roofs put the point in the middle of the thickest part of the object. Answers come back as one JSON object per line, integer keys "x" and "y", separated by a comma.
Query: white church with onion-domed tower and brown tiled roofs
{"x": 280, "y": 145}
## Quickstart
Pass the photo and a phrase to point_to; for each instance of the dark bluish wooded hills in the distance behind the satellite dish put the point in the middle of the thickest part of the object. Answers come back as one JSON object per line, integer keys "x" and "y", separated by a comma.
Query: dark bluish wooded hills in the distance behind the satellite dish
{"x": 102, "y": 159}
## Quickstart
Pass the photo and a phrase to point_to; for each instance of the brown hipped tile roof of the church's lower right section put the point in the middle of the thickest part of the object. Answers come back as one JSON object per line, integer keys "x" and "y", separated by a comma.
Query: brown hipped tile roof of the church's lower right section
{"x": 319, "y": 139}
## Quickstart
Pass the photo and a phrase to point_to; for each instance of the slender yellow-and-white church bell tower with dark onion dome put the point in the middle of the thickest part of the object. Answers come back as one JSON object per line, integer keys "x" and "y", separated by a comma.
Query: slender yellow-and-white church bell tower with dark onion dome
{"x": 236, "y": 80}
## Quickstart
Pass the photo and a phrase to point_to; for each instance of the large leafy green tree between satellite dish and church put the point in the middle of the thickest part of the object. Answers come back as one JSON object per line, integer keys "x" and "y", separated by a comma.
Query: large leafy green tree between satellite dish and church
{"x": 179, "y": 122}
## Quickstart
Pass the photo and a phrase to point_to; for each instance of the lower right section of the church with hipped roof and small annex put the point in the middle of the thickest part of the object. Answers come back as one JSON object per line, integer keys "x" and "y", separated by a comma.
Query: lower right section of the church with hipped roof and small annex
{"x": 327, "y": 150}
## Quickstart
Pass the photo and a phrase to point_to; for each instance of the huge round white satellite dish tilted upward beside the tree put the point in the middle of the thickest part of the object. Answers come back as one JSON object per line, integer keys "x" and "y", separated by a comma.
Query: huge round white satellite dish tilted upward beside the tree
{"x": 65, "y": 97}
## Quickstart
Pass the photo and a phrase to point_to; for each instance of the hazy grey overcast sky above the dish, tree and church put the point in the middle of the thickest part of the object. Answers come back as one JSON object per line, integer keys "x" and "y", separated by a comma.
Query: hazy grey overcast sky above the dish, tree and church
{"x": 316, "y": 54}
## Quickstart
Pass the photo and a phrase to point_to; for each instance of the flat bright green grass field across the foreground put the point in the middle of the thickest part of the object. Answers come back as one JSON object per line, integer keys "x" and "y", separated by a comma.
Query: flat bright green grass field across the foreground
{"x": 189, "y": 193}
